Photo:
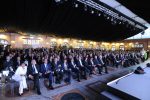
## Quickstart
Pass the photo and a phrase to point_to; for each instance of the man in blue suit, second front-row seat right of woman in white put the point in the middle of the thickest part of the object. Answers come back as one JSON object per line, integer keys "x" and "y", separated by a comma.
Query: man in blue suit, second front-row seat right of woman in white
{"x": 47, "y": 72}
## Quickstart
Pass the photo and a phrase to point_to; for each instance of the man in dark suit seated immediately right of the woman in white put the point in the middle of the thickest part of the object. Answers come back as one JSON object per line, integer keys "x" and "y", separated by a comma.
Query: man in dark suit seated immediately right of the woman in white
{"x": 33, "y": 74}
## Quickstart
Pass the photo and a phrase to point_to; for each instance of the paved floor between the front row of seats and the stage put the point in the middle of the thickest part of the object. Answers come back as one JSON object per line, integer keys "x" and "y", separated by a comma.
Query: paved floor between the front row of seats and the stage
{"x": 90, "y": 88}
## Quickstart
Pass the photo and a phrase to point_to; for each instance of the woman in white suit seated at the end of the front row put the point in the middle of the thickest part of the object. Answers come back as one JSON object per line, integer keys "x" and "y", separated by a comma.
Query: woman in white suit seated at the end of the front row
{"x": 20, "y": 76}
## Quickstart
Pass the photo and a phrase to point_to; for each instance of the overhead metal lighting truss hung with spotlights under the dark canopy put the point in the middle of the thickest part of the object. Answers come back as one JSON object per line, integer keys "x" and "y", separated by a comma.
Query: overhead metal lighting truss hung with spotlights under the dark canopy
{"x": 107, "y": 11}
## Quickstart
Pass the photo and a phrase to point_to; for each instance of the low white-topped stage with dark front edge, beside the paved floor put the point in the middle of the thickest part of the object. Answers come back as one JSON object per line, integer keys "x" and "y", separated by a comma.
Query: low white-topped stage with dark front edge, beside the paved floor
{"x": 132, "y": 86}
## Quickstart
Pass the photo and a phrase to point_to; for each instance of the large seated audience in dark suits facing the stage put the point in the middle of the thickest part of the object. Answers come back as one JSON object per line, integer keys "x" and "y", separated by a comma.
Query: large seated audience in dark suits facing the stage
{"x": 61, "y": 65}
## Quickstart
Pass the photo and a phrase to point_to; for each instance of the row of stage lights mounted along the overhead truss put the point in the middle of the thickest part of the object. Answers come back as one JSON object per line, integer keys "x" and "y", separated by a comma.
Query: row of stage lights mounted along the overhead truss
{"x": 114, "y": 17}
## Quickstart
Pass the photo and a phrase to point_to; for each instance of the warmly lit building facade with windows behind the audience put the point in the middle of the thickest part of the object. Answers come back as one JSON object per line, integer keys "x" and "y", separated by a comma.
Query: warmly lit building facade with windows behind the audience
{"x": 37, "y": 41}
